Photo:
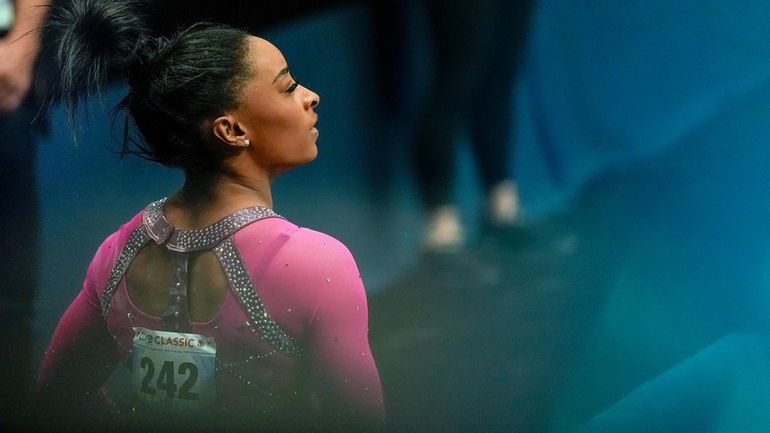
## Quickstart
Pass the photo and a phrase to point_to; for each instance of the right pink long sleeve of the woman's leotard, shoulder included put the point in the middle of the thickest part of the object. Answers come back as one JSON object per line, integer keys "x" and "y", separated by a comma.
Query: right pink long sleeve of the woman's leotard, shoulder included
{"x": 311, "y": 286}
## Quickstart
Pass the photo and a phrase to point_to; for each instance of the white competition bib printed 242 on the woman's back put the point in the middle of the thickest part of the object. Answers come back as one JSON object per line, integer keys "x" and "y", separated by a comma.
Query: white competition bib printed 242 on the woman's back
{"x": 173, "y": 370}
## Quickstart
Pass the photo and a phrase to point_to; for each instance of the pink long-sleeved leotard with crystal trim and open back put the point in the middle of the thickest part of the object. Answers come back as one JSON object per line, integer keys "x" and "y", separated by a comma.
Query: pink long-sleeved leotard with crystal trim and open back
{"x": 292, "y": 328}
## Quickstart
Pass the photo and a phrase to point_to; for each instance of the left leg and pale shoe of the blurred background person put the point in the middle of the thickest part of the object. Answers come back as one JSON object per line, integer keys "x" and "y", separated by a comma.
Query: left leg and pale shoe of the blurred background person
{"x": 460, "y": 35}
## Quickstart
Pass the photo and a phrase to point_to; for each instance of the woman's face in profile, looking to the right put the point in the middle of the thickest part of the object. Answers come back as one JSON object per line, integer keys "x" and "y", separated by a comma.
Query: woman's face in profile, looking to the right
{"x": 276, "y": 113}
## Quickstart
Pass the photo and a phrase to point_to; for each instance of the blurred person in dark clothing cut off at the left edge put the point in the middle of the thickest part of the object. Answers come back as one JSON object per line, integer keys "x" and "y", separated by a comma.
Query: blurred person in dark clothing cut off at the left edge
{"x": 20, "y": 39}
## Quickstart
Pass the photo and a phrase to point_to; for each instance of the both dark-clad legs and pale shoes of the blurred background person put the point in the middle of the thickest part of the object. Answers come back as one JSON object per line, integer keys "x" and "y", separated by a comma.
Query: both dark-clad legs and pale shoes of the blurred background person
{"x": 476, "y": 51}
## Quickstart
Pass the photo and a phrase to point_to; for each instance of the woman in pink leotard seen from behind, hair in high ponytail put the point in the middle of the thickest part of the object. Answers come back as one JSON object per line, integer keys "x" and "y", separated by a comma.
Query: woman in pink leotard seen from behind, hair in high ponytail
{"x": 224, "y": 312}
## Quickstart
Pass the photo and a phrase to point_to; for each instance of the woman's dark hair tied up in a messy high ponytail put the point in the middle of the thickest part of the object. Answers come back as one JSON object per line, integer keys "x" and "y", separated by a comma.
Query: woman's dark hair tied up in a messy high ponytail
{"x": 177, "y": 84}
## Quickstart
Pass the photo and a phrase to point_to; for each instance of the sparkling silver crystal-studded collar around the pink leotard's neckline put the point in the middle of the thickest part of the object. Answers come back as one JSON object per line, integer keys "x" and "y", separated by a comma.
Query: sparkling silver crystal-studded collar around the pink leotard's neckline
{"x": 162, "y": 232}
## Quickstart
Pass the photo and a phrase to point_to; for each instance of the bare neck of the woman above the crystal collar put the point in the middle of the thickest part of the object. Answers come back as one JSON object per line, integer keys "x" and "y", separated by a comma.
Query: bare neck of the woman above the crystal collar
{"x": 204, "y": 200}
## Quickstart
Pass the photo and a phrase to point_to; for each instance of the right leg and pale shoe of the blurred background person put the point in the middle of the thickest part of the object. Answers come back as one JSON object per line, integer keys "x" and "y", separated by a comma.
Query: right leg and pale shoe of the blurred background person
{"x": 493, "y": 114}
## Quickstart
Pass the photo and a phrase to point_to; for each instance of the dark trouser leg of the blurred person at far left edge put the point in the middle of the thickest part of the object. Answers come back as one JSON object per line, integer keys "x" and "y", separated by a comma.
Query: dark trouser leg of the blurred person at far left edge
{"x": 19, "y": 232}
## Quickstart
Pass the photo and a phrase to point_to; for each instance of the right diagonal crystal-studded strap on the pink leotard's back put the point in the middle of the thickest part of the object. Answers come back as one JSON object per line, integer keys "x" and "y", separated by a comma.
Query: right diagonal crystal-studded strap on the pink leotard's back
{"x": 241, "y": 284}
